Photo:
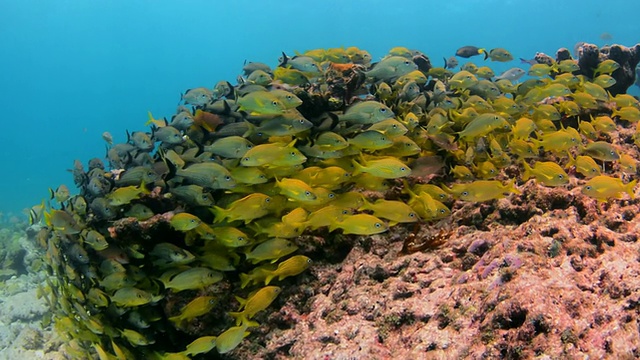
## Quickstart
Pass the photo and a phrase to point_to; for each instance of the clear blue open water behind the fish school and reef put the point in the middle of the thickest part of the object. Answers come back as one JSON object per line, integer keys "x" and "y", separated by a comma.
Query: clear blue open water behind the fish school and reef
{"x": 70, "y": 70}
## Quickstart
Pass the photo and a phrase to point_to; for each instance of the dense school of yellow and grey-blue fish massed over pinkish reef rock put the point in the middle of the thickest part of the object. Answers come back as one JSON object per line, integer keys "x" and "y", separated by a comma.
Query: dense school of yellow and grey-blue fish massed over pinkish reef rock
{"x": 155, "y": 257}
